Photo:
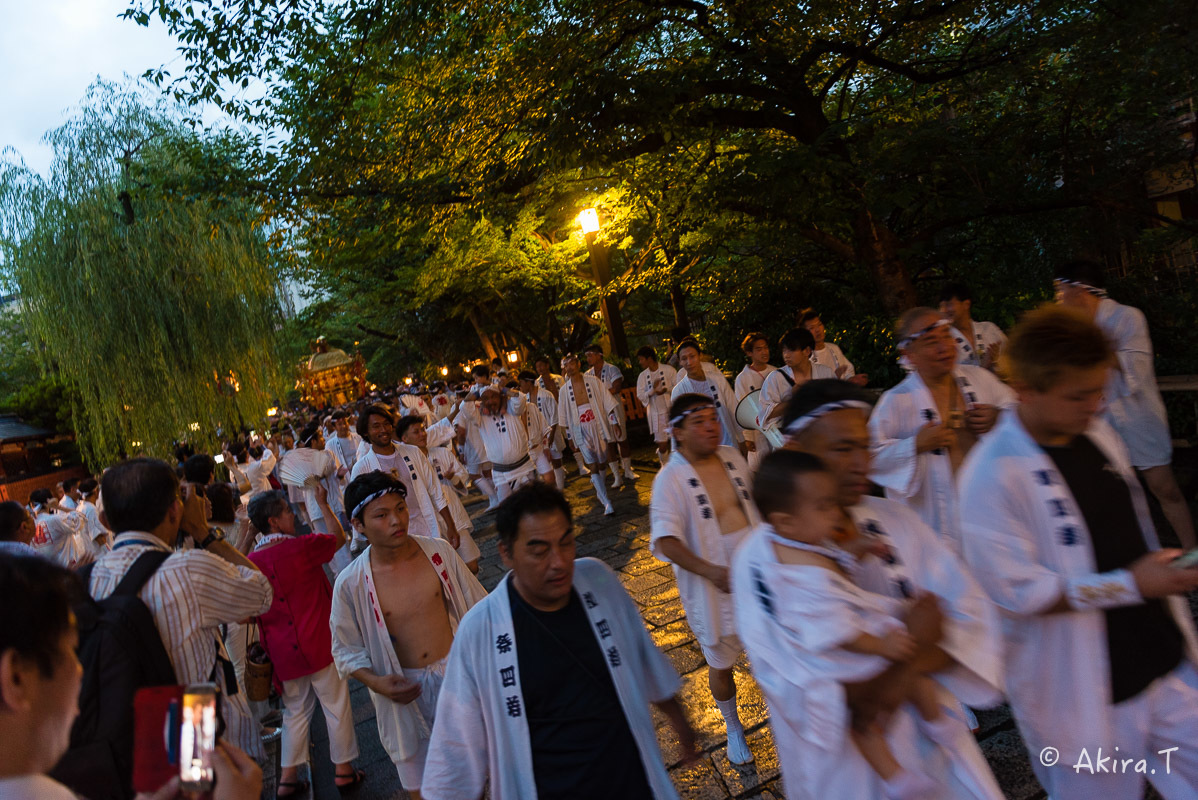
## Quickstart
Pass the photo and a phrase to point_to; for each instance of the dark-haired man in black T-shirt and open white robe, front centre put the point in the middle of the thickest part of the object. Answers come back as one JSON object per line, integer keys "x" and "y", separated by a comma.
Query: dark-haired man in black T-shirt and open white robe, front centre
{"x": 552, "y": 677}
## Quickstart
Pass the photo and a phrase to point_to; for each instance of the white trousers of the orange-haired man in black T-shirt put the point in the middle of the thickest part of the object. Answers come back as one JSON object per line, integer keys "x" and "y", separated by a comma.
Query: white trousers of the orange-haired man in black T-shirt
{"x": 1159, "y": 726}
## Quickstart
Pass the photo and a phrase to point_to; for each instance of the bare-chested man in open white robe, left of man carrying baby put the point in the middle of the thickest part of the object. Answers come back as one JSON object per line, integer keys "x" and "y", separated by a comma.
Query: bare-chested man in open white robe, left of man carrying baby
{"x": 699, "y": 513}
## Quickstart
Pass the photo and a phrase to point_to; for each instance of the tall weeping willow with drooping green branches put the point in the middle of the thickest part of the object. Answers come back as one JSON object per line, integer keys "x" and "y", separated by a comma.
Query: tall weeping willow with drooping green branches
{"x": 154, "y": 300}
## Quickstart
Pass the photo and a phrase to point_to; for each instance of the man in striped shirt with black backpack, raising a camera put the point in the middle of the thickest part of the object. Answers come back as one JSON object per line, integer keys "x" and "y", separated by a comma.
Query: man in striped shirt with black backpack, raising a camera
{"x": 195, "y": 591}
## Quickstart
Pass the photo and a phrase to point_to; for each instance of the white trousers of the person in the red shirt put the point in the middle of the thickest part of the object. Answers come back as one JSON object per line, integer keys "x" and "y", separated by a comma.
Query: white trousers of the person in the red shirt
{"x": 300, "y": 704}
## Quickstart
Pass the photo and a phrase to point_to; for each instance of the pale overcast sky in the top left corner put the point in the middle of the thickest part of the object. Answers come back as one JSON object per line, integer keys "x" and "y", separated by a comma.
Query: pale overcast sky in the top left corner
{"x": 51, "y": 51}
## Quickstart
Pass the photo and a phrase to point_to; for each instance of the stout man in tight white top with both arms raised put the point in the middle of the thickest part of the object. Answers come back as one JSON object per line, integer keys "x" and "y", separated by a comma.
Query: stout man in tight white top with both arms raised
{"x": 498, "y": 415}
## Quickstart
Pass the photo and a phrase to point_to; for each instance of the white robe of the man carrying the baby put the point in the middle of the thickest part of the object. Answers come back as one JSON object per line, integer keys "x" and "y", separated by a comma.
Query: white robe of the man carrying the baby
{"x": 809, "y": 714}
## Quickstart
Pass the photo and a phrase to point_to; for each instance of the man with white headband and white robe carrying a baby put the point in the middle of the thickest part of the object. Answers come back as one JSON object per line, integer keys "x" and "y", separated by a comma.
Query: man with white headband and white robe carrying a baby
{"x": 959, "y": 637}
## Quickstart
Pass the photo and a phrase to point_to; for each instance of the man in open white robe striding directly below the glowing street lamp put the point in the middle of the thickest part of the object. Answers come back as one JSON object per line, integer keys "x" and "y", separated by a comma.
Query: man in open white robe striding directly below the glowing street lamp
{"x": 588, "y": 411}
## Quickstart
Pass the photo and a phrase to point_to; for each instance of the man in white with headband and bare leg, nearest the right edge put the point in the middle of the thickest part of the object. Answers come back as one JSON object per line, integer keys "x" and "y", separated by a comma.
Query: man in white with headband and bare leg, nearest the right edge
{"x": 1135, "y": 408}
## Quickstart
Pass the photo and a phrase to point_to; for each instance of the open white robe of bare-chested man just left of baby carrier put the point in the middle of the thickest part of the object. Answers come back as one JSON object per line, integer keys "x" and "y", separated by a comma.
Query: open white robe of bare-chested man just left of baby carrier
{"x": 681, "y": 507}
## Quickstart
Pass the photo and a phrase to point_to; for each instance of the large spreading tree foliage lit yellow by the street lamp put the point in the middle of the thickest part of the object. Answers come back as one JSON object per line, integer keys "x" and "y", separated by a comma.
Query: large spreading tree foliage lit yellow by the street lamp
{"x": 854, "y": 153}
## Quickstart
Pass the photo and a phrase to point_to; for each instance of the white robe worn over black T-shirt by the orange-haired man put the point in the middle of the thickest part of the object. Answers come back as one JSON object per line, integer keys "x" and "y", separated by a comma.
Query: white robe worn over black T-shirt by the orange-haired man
{"x": 1027, "y": 542}
